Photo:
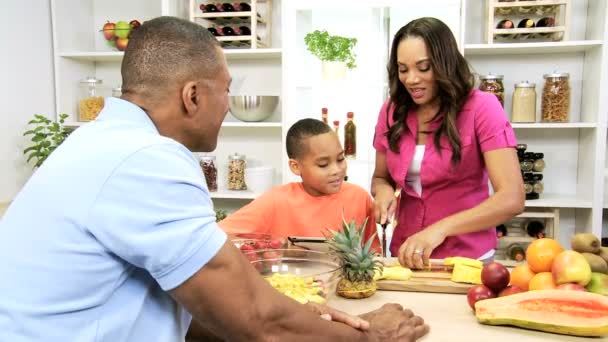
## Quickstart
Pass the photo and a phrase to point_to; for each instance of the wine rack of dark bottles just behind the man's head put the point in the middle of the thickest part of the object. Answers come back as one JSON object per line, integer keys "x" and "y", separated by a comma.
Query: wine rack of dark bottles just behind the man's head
{"x": 233, "y": 27}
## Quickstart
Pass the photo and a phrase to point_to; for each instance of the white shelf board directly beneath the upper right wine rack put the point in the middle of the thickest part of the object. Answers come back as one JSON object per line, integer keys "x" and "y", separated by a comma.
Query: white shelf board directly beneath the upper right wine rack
{"x": 531, "y": 48}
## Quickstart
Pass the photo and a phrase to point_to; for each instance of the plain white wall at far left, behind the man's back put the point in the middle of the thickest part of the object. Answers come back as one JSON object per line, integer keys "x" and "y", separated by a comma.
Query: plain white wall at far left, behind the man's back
{"x": 26, "y": 67}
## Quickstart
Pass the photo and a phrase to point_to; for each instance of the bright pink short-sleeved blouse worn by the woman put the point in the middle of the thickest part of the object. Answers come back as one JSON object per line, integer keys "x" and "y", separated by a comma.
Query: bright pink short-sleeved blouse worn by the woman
{"x": 446, "y": 189}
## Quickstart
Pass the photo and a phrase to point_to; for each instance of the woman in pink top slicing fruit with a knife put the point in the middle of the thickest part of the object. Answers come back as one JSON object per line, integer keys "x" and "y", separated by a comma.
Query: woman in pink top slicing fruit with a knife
{"x": 438, "y": 140}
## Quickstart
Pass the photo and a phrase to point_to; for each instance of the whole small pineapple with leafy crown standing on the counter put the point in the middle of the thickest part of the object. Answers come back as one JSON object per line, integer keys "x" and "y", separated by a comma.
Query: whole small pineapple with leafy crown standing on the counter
{"x": 356, "y": 260}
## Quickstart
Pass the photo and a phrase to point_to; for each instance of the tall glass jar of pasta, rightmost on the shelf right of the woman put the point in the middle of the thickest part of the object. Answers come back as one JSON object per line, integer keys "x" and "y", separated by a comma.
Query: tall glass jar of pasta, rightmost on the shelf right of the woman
{"x": 555, "y": 105}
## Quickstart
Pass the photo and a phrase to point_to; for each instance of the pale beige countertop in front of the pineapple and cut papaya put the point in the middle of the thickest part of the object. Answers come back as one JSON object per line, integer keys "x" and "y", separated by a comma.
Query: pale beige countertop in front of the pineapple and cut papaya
{"x": 450, "y": 318}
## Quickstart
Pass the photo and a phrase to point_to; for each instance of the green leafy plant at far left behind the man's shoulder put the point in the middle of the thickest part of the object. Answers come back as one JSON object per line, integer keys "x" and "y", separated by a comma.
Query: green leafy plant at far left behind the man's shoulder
{"x": 47, "y": 135}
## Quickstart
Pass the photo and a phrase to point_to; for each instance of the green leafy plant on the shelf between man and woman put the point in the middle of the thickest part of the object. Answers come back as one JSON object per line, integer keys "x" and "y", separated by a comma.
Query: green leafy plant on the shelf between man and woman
{"x": 331, "y": 48}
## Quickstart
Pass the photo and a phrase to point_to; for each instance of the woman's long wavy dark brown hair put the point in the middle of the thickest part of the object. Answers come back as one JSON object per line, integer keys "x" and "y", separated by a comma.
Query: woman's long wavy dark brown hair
{"x": 452, "y": 74}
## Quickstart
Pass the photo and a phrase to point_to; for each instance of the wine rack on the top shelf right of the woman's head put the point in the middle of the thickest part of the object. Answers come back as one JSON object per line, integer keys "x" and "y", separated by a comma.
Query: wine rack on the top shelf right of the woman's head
{"x": 553, "y": 15}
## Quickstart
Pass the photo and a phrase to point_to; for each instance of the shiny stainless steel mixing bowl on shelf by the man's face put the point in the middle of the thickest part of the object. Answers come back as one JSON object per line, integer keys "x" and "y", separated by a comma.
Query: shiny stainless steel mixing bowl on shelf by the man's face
{"x": 253, "y": 108}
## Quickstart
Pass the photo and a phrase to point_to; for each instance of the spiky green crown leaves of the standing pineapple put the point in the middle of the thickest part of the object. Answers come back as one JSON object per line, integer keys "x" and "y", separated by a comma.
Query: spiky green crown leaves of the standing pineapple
{"x": 356, "y": 259}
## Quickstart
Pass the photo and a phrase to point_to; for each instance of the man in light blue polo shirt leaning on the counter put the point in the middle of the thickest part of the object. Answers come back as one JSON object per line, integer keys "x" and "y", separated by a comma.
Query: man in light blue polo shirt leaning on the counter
{"x": 114, "y": 237}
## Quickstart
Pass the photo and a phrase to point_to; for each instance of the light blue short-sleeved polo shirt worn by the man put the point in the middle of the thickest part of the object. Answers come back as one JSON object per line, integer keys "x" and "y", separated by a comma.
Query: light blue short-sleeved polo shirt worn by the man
{"x": 113, "y": 219}
